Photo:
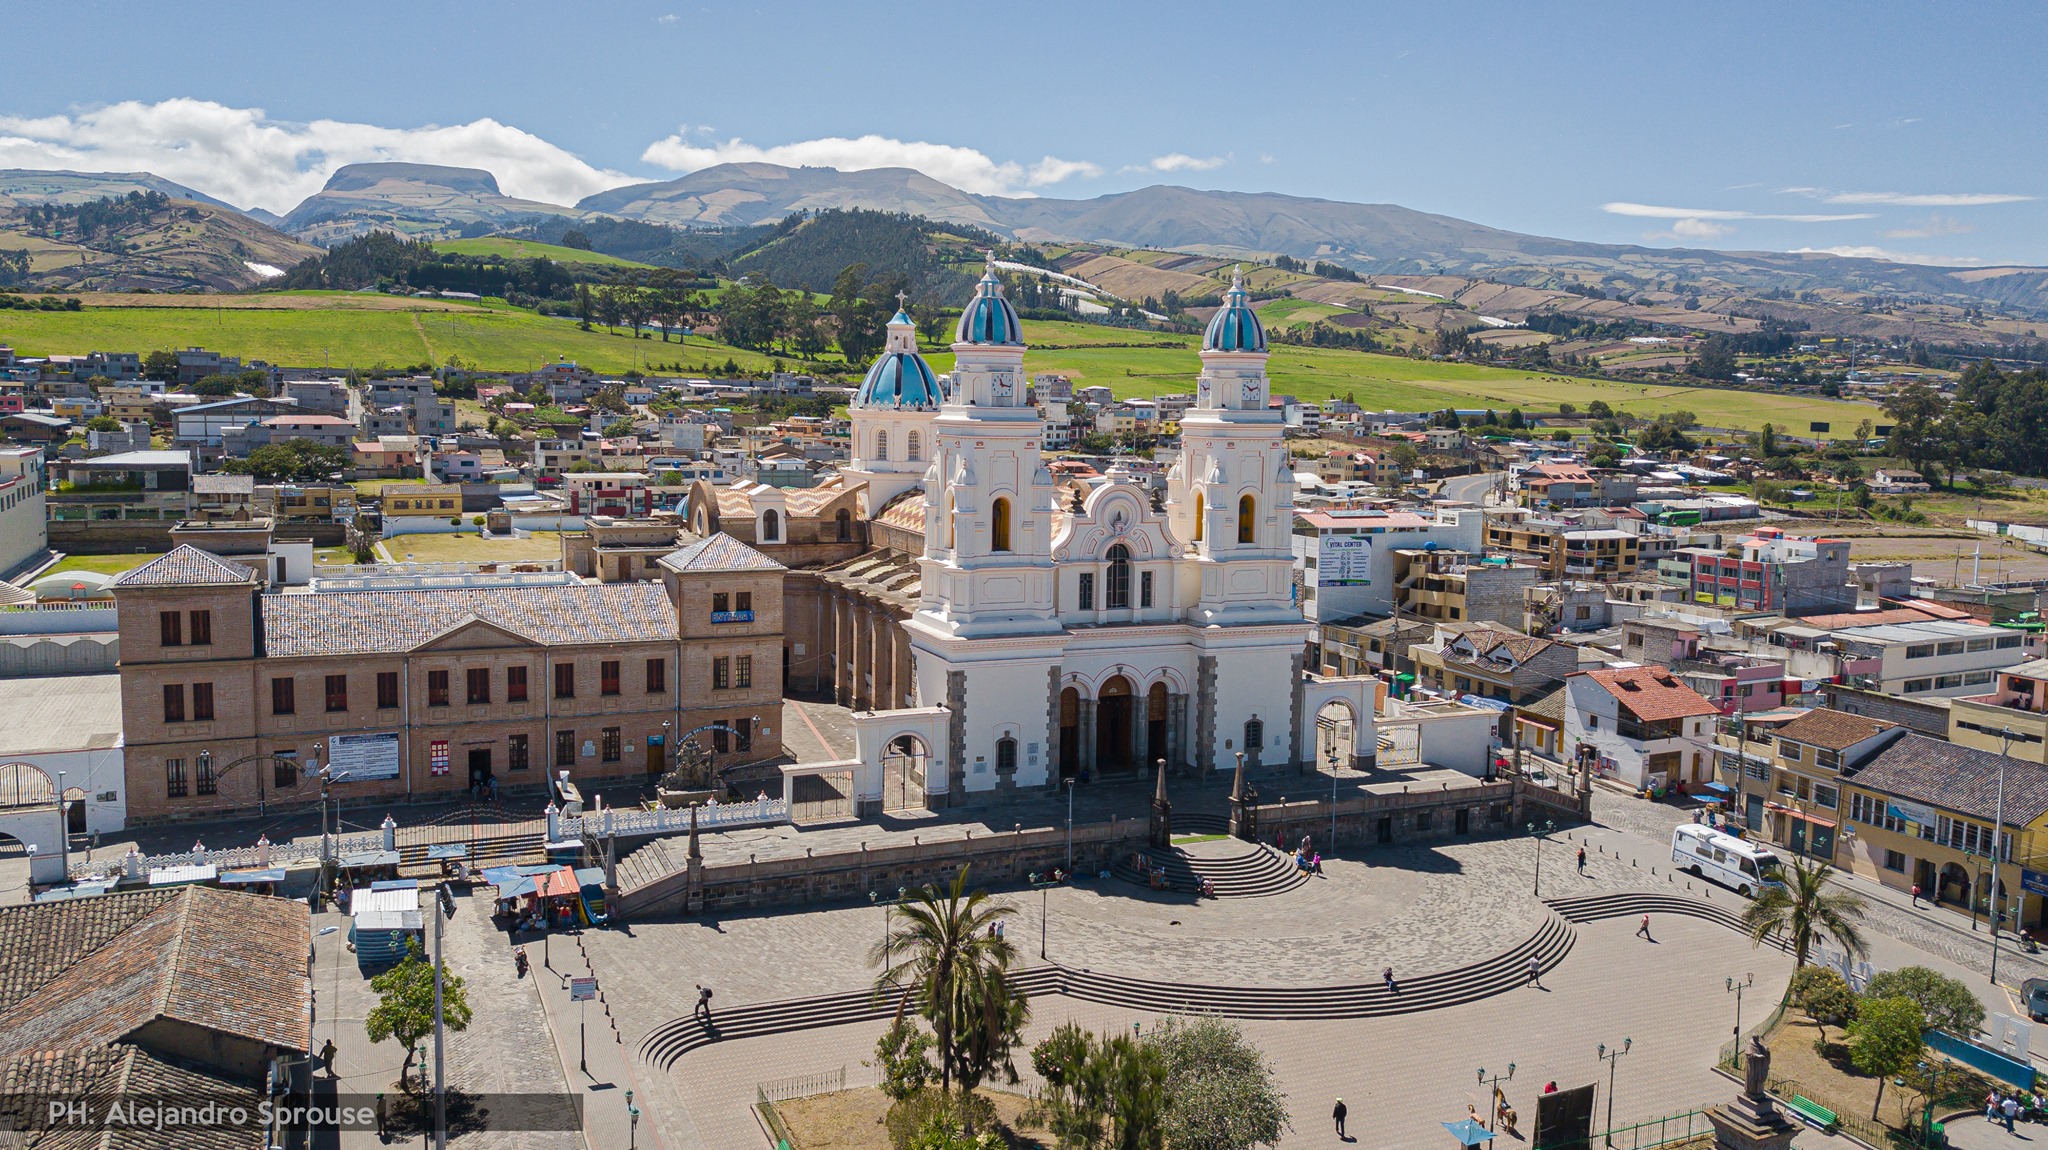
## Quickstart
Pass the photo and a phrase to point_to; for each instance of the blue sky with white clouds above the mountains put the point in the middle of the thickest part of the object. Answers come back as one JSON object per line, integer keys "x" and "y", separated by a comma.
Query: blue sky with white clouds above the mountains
{"x": 1910, "y": 130}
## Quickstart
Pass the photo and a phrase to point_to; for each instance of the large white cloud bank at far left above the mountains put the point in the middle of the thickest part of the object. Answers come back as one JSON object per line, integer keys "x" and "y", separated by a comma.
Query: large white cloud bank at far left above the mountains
{"x": 251, "y": 161}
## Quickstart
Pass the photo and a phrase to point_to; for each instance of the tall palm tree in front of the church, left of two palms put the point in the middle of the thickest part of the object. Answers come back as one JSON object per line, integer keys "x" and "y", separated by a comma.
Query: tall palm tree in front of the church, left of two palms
{"x": 957, "y": 973}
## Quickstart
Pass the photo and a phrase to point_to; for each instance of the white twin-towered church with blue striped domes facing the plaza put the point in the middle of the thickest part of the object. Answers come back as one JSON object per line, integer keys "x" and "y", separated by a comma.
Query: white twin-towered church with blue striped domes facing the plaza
{"x": 1080, "y": 629}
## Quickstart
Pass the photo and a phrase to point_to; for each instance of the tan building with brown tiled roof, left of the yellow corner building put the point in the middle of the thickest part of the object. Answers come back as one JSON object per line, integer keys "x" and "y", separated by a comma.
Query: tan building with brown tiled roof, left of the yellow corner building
{"x": 1797, "y": 801}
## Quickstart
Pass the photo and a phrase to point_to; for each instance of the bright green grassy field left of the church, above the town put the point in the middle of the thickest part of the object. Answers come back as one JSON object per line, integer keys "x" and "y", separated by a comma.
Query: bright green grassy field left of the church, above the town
{"x": 345, "y": 337}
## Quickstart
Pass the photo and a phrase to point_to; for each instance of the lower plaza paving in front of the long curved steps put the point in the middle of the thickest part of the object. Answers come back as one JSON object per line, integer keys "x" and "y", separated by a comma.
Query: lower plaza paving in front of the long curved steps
{"x": 1402, "y": 1075}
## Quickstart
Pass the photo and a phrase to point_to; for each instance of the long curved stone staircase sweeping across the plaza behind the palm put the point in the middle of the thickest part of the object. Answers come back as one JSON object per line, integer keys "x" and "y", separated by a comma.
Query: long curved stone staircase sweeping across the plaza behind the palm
{"x": 1502, "y": 973}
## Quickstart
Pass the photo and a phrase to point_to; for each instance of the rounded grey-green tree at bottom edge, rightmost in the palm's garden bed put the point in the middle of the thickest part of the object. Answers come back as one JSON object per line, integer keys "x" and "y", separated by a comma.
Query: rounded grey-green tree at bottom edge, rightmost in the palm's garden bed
{"x": 1220, "y": 1090}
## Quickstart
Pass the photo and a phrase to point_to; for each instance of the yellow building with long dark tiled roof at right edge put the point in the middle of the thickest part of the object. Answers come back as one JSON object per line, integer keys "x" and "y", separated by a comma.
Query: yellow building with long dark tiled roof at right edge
{"x": 1924, "y": 815}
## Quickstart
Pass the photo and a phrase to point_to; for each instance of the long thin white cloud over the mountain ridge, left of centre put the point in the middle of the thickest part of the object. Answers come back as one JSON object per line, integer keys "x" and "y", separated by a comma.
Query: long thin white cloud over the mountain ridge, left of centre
{"x": 959, "y": 167}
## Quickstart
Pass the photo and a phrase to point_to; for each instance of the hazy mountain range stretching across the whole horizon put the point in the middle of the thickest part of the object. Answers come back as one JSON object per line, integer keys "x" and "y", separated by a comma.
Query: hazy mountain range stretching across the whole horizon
{"x": 435, "y": 202}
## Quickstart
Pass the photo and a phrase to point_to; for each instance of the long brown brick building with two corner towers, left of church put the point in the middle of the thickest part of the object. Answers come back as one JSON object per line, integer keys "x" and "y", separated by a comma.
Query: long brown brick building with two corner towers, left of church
{"x": 392, "y": 687}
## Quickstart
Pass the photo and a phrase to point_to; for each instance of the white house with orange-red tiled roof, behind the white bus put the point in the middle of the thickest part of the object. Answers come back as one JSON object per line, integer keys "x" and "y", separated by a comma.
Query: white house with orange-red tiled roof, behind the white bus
{"x": 1641, "y": 727}
